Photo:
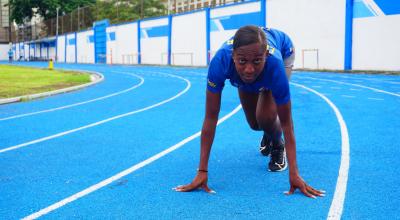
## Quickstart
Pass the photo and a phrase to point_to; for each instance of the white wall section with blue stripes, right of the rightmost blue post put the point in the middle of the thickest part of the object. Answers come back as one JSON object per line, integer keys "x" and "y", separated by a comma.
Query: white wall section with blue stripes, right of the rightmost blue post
{"x": 376, "y": 34}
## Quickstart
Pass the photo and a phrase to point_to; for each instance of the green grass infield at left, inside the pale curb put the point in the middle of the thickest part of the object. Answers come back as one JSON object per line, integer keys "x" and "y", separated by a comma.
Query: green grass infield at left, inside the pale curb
{"x": 18, "y": 81}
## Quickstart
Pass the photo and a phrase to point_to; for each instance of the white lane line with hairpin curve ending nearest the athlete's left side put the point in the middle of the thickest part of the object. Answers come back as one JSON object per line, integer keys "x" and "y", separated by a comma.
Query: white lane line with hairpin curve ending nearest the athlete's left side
{"x": 102, "y": 121}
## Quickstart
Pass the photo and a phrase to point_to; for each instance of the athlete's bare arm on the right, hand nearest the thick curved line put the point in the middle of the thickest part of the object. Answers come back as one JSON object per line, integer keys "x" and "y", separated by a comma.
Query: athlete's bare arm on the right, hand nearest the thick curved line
{"x": 285, "y": 117}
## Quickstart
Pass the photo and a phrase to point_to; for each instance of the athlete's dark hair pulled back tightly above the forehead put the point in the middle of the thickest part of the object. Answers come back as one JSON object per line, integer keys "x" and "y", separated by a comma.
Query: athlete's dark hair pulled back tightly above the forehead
{"x": 249, "y": 34}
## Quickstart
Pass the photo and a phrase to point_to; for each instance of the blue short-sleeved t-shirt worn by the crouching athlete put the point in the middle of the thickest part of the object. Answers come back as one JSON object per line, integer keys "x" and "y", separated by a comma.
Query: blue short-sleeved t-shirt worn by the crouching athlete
{"x": 272, "y": 78}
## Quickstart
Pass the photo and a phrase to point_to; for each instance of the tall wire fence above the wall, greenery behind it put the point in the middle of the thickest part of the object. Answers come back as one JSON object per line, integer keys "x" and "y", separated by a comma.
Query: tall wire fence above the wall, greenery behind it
{"x": 117, "y": 11}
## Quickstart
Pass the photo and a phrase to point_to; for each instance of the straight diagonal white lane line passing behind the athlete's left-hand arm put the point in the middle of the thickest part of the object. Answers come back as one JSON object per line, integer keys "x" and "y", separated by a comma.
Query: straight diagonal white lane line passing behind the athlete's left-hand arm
{"x": 123, "y": 173}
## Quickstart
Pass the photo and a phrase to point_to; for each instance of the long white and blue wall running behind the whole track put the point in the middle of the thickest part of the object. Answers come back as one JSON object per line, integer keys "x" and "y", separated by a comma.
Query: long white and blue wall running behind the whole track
{"x": 327, "y": 34}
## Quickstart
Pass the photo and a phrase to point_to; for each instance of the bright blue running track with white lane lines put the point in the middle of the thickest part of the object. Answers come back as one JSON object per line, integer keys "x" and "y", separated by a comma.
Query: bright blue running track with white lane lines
{"x": 116, "y": 149}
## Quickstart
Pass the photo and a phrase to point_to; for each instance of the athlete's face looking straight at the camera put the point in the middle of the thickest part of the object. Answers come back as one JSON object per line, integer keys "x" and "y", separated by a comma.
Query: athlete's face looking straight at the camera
{"x": 249, "y": 61}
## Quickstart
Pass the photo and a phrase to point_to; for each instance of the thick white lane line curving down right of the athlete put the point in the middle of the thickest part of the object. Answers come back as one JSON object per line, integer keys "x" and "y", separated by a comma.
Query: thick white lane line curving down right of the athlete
{"x": 336, "y": 209}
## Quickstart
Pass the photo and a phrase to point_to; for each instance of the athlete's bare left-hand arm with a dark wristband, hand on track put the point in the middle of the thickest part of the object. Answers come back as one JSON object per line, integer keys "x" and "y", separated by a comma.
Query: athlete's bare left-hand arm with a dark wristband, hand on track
{"x": 213, "y": 104}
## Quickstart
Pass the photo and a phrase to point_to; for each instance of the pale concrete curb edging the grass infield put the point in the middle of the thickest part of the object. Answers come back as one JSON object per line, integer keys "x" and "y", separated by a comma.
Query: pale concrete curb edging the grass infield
{"x": 95, "y": 78}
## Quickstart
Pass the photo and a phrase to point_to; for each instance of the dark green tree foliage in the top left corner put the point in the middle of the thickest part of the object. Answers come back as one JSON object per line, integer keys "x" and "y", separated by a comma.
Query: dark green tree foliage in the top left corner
{"x": 24, "y": 10}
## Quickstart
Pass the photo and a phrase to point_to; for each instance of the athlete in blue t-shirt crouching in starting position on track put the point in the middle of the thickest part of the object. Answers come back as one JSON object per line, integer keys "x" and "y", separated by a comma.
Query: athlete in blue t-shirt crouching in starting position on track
{"x": 258, "y": 61}
